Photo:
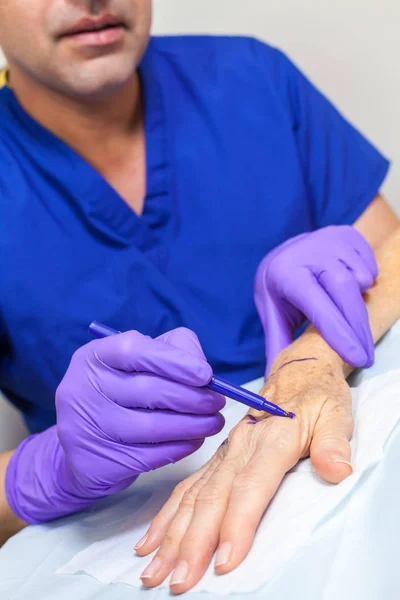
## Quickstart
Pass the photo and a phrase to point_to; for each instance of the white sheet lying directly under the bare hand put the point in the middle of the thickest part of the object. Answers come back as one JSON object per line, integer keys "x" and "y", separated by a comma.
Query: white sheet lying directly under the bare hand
{"x": 303, "y": 503}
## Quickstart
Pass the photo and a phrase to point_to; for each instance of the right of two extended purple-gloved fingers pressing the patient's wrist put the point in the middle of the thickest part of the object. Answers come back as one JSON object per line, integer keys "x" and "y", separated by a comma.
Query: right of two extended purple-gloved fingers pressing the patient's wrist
{"x": 343, "y": 289}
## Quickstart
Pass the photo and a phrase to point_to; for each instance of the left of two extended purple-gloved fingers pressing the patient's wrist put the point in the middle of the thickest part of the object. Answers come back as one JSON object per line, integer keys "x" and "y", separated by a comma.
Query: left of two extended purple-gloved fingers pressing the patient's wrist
{"x": 320, "y": 309}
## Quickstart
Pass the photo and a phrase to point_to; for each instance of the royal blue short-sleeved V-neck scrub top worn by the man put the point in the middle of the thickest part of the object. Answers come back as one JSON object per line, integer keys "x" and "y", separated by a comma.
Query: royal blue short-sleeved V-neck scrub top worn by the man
{"x": 242, "y": 153}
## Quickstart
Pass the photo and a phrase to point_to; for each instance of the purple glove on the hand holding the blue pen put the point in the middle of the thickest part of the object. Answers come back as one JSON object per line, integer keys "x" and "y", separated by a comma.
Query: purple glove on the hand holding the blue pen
{"x": 127, "y": 404}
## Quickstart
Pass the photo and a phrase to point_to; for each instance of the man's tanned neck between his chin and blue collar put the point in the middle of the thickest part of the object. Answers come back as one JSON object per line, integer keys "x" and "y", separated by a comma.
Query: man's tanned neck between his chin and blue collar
{"x": 84, "y": 123}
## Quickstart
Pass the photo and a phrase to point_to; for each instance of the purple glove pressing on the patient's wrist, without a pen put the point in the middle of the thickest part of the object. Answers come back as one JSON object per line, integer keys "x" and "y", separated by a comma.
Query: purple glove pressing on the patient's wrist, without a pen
{"x": 320, "y": 277}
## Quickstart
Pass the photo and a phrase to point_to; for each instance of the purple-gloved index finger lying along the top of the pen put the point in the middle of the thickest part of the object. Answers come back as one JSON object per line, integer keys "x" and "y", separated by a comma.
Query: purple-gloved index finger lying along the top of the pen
{"x": 133, "y": 352}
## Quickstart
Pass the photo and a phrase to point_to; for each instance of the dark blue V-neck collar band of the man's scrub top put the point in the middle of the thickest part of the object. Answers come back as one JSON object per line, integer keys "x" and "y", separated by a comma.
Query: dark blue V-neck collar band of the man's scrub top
{"x": 99, "y": 202}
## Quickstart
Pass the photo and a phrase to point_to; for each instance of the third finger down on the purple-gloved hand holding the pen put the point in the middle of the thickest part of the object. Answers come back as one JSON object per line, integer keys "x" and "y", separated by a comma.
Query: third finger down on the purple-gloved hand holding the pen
{"x": 154, "y": 427}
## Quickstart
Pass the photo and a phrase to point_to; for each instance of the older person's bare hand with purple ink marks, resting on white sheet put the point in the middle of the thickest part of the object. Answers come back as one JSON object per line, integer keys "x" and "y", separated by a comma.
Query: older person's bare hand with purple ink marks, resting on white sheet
{"x": 220, "y": 506}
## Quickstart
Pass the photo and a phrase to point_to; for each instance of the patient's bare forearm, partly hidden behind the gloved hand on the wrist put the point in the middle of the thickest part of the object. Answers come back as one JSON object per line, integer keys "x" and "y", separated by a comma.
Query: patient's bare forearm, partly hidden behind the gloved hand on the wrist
{"x": 383, "y": 305}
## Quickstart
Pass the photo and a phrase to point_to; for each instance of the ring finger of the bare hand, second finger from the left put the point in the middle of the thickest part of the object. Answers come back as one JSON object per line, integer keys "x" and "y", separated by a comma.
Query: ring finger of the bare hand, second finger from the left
{"x": 166, "y": 558}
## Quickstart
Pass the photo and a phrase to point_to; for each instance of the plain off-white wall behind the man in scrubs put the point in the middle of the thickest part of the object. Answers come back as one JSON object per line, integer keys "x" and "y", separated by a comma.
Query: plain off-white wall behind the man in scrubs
{"x": 349, "y": 48}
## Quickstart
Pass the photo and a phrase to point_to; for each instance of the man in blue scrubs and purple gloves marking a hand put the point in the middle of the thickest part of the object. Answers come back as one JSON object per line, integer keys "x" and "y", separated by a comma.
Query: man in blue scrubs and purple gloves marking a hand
{"x": 142, "y": 182}
